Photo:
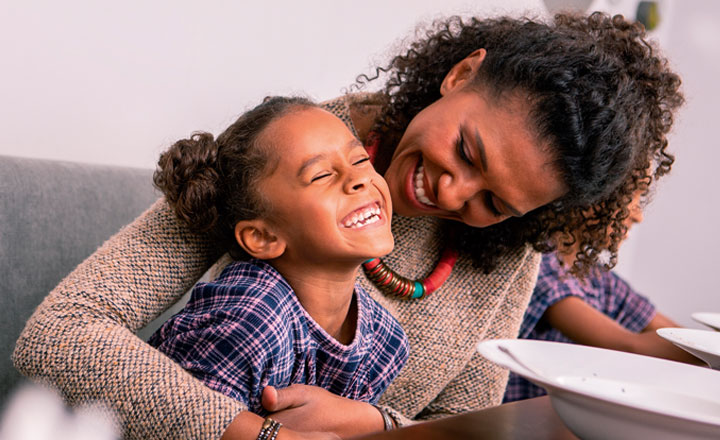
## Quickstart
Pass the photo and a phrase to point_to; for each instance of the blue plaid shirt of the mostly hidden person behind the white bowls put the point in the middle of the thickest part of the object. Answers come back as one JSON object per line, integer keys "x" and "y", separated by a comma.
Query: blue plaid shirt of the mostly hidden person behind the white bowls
{"x": 603, "y": 290}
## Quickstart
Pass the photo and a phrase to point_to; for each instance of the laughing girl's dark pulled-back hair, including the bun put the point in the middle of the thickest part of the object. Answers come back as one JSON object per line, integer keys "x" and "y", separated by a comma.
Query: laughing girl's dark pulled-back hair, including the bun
{"x": 211, "y": 184}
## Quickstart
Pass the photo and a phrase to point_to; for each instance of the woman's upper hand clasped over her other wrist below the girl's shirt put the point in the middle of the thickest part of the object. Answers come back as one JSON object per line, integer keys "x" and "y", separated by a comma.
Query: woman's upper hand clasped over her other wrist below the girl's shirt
{"x": 310, "y": 408}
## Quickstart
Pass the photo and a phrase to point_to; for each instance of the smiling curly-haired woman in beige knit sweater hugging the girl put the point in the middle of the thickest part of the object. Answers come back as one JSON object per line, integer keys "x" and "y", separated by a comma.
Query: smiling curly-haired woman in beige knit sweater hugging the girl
{"x": 494, "y": 136}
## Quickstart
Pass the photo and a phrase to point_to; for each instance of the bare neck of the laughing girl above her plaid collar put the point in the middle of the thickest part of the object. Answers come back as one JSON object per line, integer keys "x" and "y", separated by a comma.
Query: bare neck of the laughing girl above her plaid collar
{"x": 327, "y": 296}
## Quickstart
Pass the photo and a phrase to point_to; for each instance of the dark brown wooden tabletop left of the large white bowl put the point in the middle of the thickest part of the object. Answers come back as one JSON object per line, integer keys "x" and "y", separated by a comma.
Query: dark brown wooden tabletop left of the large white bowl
{"x": 533, "y": 419}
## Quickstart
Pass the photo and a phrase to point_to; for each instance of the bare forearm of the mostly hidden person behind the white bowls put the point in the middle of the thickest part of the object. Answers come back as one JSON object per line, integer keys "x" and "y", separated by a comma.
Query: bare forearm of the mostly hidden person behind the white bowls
{"x": 586, "y": 325}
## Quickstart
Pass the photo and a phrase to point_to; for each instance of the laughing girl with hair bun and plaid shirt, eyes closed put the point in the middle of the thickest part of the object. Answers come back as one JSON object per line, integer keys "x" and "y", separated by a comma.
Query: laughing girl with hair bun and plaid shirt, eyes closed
{"x": 291, "y": 194}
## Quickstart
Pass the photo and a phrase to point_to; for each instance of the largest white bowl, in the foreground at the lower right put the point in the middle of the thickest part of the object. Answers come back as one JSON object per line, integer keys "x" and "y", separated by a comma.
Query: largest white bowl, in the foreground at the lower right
{"x": 601, "y": 394}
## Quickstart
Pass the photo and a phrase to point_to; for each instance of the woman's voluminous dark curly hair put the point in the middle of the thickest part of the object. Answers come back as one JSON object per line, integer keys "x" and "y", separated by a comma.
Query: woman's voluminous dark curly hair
{"x": 601, "y": 97}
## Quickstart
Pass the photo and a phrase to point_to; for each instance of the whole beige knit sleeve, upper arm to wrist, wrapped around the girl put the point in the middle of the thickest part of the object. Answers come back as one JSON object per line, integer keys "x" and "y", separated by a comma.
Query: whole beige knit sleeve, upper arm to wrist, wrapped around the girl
{"x": 81, "y": 338}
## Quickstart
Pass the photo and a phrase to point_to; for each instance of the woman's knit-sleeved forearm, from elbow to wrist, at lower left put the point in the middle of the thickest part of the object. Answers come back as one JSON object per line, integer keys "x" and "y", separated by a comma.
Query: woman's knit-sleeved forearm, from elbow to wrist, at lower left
{"x": 92, "y": 360}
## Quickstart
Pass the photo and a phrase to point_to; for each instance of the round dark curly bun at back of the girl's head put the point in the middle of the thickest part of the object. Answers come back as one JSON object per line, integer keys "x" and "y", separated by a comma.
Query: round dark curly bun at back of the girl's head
{"x": 188, "y": 176}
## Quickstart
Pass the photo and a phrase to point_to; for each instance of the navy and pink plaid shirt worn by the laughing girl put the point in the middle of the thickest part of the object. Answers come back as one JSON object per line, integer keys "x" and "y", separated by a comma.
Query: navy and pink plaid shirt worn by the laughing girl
{"x": 247, "y": 330}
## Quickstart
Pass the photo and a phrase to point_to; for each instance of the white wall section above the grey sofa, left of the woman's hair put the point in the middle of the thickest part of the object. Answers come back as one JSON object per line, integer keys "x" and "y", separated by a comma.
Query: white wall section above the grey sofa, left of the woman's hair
{"x": 118, "y": 82}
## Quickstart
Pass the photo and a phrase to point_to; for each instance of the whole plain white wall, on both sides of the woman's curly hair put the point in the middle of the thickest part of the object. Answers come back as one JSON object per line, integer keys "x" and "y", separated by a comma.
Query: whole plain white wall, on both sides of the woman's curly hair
{"x": 118, "y": 82}
